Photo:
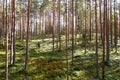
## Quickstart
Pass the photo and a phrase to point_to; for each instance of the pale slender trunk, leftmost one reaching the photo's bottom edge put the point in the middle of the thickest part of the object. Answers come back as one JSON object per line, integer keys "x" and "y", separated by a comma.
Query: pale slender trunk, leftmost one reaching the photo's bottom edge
{"x": 6, "y": 69}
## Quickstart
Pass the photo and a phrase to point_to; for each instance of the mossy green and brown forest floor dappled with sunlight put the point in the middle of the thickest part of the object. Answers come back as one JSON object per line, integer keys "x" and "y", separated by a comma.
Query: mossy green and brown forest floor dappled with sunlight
{"x": 47, "y": 65}
